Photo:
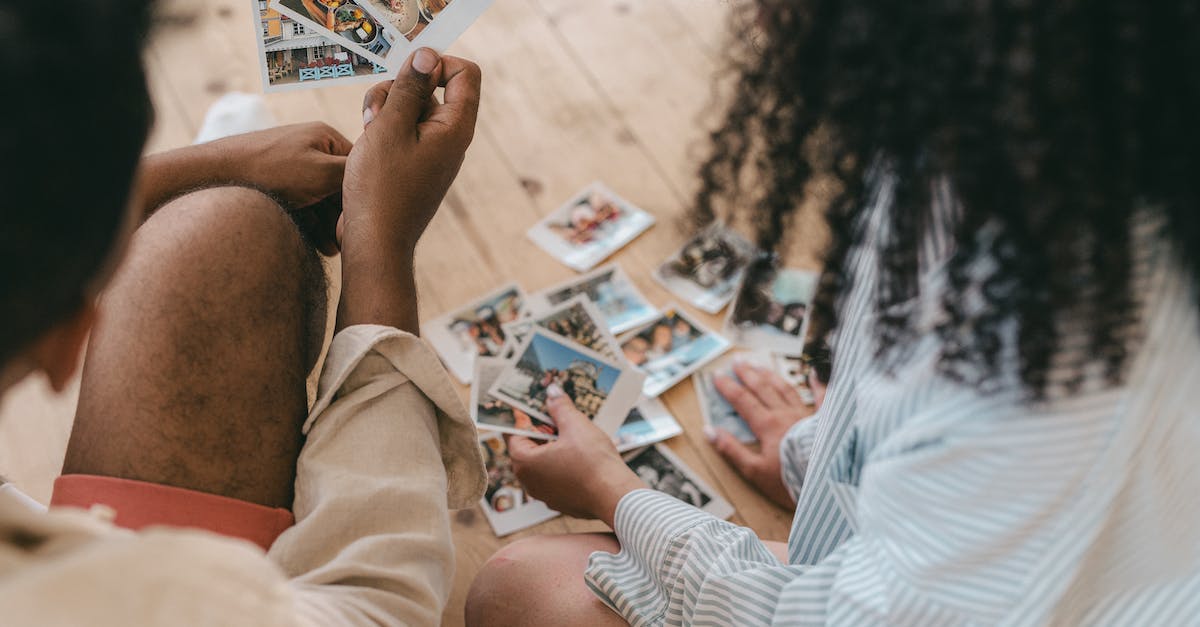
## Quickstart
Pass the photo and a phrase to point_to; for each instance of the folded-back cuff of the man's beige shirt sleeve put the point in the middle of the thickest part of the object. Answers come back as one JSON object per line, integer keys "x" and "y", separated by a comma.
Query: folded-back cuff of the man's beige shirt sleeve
{"x": 417, "y": 362}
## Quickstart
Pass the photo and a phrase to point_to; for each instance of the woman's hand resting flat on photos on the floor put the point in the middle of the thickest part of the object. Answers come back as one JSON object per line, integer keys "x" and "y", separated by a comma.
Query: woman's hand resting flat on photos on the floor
{"x": 770, "y": 407}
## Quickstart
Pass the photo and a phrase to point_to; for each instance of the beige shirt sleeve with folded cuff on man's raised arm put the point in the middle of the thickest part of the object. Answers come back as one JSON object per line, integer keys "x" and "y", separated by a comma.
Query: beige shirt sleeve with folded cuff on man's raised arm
{"x": 389, "y": 450}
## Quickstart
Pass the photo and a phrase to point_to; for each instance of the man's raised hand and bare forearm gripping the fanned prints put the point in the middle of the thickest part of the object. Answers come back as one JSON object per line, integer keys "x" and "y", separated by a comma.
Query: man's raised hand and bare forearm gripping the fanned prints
{"x": 397, "y": 177}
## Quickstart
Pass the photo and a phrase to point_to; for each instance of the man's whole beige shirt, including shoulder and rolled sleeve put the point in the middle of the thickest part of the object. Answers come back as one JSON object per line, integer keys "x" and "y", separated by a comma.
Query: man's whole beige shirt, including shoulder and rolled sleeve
{"x": 389, "y": 450}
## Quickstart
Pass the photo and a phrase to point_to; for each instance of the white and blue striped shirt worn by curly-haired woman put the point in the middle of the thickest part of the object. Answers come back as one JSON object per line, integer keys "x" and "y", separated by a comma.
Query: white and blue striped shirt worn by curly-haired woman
{"x": 922, "y": 503}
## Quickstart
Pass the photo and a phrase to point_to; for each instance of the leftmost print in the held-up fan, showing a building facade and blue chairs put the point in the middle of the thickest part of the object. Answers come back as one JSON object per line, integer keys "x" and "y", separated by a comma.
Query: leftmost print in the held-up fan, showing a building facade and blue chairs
{"x": 291, "y": 57}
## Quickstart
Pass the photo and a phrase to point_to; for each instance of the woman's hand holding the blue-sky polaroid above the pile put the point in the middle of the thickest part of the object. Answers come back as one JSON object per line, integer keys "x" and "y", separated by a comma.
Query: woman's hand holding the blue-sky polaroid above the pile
{"x": 581, "y": 474}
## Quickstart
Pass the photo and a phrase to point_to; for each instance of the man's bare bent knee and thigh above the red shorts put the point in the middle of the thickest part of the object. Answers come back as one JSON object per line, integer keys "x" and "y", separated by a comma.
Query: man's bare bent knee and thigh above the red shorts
{"x": 195, "y": 375}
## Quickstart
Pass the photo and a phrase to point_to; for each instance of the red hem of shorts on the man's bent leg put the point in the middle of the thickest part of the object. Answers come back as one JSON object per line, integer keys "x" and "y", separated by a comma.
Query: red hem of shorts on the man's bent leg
{"x": 141, "y": 505}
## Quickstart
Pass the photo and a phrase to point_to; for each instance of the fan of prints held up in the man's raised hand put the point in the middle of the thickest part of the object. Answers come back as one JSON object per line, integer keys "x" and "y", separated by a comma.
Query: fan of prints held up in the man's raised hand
{"x": 305, "y": 44}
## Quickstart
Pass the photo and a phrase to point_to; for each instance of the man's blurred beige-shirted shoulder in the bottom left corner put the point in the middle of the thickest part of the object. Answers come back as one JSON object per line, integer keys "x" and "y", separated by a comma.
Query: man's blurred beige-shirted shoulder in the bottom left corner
{"x": 158, "y": 577}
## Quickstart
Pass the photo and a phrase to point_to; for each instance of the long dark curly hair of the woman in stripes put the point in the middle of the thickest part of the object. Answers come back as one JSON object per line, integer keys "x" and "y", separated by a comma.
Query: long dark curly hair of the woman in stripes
{"x": 1055, "y": 126}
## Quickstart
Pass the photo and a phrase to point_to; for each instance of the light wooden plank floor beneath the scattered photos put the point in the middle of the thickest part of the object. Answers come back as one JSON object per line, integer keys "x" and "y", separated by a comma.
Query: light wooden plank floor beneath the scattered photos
{"x": 574, "y": 92}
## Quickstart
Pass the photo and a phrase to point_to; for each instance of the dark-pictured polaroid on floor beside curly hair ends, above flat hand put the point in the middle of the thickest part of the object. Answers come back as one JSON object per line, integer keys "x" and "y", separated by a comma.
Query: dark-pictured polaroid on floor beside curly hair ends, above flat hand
{"x": 772, "y": 309}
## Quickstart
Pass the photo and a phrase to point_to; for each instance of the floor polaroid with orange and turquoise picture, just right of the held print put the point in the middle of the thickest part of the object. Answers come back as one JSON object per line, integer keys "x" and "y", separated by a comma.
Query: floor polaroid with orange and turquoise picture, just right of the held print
{"x": 670, "y": 349}
